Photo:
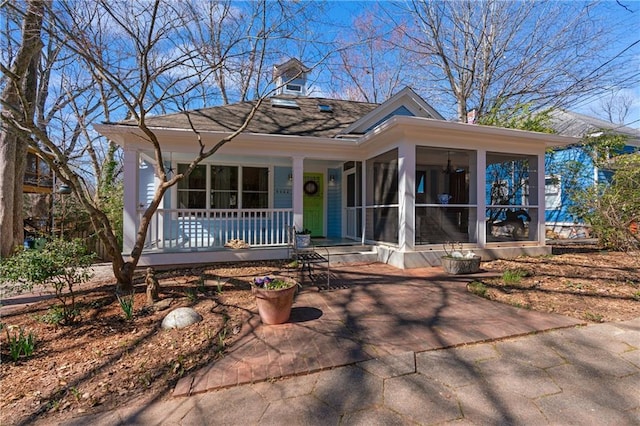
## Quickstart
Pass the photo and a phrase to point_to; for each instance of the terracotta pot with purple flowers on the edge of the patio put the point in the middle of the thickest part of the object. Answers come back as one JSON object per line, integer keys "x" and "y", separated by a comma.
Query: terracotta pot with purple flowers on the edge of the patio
{"x": 274, "y": 297}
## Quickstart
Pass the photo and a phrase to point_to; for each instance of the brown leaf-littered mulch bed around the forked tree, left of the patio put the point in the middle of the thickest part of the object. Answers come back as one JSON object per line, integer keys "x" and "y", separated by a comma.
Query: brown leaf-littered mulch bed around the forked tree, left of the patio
{"x": 105, "y": 361}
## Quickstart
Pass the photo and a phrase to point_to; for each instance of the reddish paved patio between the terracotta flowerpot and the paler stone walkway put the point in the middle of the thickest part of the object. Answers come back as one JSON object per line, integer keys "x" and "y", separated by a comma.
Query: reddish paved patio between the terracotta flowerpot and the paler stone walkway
{"x": 372, "y": 310}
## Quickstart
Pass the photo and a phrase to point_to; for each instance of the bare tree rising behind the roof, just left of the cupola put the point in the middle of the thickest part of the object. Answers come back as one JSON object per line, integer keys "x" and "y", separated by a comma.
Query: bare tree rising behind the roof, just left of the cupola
{"x": 230, "y": 46}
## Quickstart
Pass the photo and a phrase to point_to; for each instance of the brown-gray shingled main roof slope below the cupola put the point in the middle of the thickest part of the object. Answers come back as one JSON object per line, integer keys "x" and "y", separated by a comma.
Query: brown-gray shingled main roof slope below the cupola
{"x": 308, "y": 120}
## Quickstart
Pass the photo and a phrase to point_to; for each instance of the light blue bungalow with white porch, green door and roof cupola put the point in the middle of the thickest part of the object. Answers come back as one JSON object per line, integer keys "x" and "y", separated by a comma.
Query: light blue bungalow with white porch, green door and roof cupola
{"x": 395, "y": 176}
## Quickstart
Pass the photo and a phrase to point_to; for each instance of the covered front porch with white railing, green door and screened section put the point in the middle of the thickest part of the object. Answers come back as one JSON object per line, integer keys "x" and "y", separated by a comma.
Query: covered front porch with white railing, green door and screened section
{"x": 406, "y": 190}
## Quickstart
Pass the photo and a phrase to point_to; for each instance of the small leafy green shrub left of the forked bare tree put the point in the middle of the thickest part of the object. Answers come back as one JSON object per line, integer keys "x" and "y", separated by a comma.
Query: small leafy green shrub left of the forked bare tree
{"x": 60, "y": 265}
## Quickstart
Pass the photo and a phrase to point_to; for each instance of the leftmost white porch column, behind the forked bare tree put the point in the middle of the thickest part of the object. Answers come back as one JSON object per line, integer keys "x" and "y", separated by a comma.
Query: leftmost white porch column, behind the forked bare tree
{"x": 130, "y": 213}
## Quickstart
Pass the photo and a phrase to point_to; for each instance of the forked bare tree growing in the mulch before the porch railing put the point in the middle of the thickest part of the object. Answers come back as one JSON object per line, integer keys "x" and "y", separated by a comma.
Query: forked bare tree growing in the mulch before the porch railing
{"x": 137, "y": 57}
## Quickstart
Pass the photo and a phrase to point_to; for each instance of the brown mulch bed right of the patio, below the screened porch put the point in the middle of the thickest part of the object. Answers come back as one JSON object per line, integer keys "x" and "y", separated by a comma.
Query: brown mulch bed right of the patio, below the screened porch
{"x": 578, "y": 281}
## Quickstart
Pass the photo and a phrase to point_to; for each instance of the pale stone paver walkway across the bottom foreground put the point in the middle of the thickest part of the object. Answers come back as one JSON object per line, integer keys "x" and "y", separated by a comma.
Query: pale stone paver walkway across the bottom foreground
{"x": 576, "y": 376}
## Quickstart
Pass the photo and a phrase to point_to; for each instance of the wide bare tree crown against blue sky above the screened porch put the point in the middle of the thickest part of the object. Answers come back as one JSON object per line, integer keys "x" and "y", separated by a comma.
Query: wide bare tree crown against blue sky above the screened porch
{"x": 480, "y": 53}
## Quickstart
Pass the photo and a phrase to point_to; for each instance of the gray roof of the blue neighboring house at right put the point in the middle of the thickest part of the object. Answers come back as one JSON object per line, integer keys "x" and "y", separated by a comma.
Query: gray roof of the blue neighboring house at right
{"x": 569, "y": 123}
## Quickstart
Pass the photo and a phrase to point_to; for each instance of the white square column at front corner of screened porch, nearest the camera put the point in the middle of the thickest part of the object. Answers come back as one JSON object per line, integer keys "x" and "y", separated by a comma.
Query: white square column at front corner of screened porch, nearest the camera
{"x": 406, "y": 196}
